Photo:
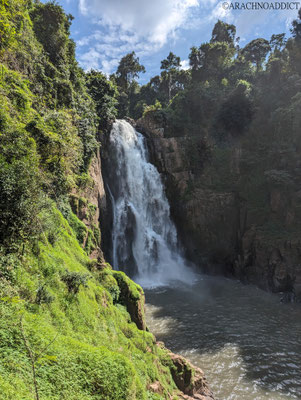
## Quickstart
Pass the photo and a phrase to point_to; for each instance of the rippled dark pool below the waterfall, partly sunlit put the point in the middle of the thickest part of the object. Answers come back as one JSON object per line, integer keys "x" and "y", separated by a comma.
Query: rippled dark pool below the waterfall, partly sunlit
{"x": 246, "y": 341}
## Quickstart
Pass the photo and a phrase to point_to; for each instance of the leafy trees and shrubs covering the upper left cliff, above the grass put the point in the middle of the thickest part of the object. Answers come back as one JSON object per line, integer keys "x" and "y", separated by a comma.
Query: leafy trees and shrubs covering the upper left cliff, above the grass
{"x": 48, "y": 122}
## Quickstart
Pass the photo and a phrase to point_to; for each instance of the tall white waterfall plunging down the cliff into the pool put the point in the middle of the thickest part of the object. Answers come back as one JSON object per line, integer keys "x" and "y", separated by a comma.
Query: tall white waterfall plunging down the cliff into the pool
{"x": 144, "y": 239}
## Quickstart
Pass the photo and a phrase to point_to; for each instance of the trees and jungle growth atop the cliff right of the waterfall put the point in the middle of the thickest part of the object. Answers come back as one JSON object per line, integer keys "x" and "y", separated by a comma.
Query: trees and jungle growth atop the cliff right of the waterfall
{"x": 226, "y": 87}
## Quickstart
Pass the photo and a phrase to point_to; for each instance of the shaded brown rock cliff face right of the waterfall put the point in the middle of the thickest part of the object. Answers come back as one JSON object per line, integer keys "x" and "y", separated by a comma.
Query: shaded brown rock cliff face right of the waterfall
{"x": 237, "y": 211}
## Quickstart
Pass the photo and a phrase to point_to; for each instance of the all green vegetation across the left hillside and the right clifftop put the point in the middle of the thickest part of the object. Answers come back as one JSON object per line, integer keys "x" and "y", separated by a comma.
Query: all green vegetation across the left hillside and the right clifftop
{"x": 65, "y": 332}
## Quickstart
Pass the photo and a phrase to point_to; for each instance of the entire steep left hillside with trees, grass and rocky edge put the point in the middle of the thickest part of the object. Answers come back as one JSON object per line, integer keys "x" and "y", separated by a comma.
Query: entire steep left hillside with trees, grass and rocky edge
{"x": 70, "y": 327}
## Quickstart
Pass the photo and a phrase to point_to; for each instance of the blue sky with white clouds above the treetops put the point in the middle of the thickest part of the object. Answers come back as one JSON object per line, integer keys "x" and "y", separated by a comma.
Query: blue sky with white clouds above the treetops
{"x": 106, "y": 30}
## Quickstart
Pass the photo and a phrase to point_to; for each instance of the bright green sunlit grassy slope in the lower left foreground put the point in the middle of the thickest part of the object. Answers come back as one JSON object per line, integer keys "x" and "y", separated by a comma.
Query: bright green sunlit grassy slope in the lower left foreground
{"x": 85, "y": 347}
